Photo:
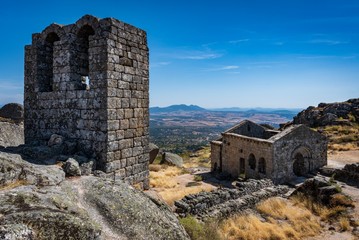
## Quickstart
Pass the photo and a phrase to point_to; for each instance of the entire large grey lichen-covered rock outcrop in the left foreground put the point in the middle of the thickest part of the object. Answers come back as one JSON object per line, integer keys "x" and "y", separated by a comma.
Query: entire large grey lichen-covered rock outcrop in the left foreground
{"x": 38, "y": 202}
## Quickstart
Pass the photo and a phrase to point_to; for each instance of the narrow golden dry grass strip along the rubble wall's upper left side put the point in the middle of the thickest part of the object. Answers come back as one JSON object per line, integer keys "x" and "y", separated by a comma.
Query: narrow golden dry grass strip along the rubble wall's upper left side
{"x": 174, "y": 194}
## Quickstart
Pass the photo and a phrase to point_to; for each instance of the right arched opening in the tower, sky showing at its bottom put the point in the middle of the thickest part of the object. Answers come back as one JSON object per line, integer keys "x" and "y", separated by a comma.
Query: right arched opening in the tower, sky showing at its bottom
{"x": 83, "y": 62}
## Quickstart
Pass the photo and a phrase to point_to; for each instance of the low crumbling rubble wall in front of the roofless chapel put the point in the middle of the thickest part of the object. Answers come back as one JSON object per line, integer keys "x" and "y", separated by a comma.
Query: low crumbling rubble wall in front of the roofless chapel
{"x": 223, "y": 202}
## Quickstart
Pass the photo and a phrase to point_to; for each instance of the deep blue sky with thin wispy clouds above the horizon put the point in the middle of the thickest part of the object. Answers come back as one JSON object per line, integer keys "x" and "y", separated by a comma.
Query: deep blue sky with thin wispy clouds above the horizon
{"x": 227, "y": 53}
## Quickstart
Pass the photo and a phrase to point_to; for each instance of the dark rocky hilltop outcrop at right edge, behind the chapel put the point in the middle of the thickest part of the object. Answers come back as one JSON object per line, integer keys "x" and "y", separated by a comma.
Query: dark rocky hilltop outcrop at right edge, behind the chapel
{"x": 342, "y": 113}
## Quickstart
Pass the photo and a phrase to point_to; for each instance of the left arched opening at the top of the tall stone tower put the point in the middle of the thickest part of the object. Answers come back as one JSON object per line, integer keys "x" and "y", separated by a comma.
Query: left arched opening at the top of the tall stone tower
{"x": 45, "y": 71}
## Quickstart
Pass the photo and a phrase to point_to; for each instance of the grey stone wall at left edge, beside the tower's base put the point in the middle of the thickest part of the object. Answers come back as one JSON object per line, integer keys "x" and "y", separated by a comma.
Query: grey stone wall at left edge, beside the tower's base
{"x": 11, "y": 134}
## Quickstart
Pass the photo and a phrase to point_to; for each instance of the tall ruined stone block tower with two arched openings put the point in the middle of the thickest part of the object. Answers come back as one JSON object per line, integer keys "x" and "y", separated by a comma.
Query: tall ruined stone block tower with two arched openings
{"x": 88, "y": 82}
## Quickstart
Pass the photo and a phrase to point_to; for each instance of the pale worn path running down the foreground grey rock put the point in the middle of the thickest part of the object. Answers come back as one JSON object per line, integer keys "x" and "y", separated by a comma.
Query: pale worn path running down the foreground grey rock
{"x": 107, "y": 232}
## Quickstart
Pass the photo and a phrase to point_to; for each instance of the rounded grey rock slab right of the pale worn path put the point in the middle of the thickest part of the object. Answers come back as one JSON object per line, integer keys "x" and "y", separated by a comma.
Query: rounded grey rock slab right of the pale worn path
{"x": 131, "y": 212}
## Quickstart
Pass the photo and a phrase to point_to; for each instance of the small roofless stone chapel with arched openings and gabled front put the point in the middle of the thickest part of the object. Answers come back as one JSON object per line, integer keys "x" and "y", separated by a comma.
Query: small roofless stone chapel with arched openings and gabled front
{"x": 250, "y": 150}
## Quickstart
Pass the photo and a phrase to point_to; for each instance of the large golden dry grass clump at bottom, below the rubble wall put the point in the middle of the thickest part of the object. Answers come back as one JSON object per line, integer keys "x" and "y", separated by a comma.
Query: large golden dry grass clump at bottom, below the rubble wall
{"x": 284, "y": 221}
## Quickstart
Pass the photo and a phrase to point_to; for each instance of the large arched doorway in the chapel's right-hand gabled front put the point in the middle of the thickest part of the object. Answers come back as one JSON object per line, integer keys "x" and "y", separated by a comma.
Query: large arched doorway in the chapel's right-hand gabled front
{"x": 301, "y": 161}
